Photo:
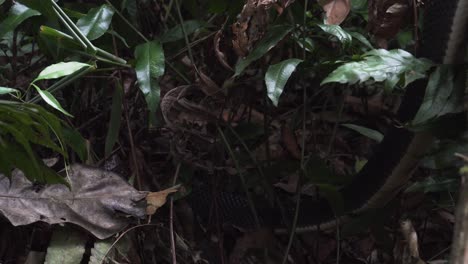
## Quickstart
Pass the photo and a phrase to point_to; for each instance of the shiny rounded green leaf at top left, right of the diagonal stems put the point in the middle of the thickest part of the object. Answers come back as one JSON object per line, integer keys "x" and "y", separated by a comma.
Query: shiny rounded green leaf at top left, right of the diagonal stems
{"x": 96, "y": 22}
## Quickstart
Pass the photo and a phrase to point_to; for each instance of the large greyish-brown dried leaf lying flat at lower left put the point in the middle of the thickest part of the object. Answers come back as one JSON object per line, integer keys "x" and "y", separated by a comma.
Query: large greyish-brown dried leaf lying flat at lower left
{"x": 96, "y": 201}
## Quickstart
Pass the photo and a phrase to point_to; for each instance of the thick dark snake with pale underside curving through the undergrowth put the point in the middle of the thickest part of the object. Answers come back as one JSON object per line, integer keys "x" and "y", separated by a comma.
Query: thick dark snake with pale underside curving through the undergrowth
{"x": 394, "y": 159}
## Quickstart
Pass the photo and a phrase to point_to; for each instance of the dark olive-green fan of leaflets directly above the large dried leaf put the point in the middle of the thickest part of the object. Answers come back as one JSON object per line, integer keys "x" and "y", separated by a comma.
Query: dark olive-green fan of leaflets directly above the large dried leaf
{"x": 23, "y": 126}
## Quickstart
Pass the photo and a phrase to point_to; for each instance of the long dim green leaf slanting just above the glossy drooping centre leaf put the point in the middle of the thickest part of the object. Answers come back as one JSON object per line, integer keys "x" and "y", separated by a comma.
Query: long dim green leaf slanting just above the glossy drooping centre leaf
{"x": 274, "y": 35}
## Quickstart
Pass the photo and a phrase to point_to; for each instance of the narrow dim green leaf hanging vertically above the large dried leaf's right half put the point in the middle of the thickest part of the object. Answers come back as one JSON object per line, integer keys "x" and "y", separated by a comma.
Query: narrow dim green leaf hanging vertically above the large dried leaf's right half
{"x": 115, "y": 120}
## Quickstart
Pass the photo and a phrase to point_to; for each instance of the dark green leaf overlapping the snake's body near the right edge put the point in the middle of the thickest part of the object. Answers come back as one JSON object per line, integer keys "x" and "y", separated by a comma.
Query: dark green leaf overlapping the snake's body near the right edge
{"x": 444, "y": 94}
